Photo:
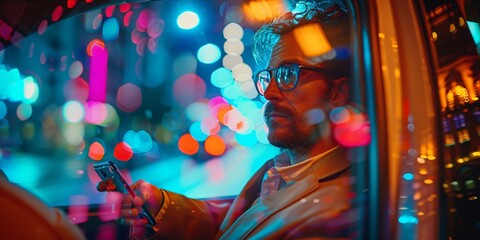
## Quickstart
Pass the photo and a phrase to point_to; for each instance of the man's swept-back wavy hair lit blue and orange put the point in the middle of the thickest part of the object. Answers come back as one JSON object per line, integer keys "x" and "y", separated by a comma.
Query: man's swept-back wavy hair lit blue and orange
{"x": 333, "y": 18}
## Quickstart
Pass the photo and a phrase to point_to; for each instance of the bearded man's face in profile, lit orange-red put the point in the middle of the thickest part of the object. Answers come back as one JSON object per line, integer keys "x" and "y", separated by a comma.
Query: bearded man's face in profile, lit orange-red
{"x": 292, "y": 117}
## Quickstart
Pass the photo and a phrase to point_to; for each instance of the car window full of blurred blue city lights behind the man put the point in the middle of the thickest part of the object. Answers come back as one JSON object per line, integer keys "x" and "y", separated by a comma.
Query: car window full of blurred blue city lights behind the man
{"x": 144, "y": 84}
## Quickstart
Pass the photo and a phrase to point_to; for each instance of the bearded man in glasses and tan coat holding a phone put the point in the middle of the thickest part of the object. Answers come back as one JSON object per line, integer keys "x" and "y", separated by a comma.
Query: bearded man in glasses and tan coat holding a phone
{"x": 302, "y": 193}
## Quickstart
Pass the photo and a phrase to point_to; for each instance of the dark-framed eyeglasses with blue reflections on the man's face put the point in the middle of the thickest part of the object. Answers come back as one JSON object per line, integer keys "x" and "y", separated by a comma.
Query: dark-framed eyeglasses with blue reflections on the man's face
{"x": 286, "y": 76}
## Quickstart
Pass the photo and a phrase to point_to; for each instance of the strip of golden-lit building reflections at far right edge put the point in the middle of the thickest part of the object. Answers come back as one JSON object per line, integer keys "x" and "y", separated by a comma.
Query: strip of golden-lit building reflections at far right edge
{"x": 457, "y": 69}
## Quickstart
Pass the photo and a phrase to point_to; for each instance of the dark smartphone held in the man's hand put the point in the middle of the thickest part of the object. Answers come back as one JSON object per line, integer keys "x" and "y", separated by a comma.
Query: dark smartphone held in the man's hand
{"x": 109, "y": 171}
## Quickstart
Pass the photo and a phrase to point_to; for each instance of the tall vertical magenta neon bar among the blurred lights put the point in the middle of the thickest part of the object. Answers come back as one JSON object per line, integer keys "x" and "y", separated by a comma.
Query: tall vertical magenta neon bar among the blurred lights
{"x": 98, "y": 71}
